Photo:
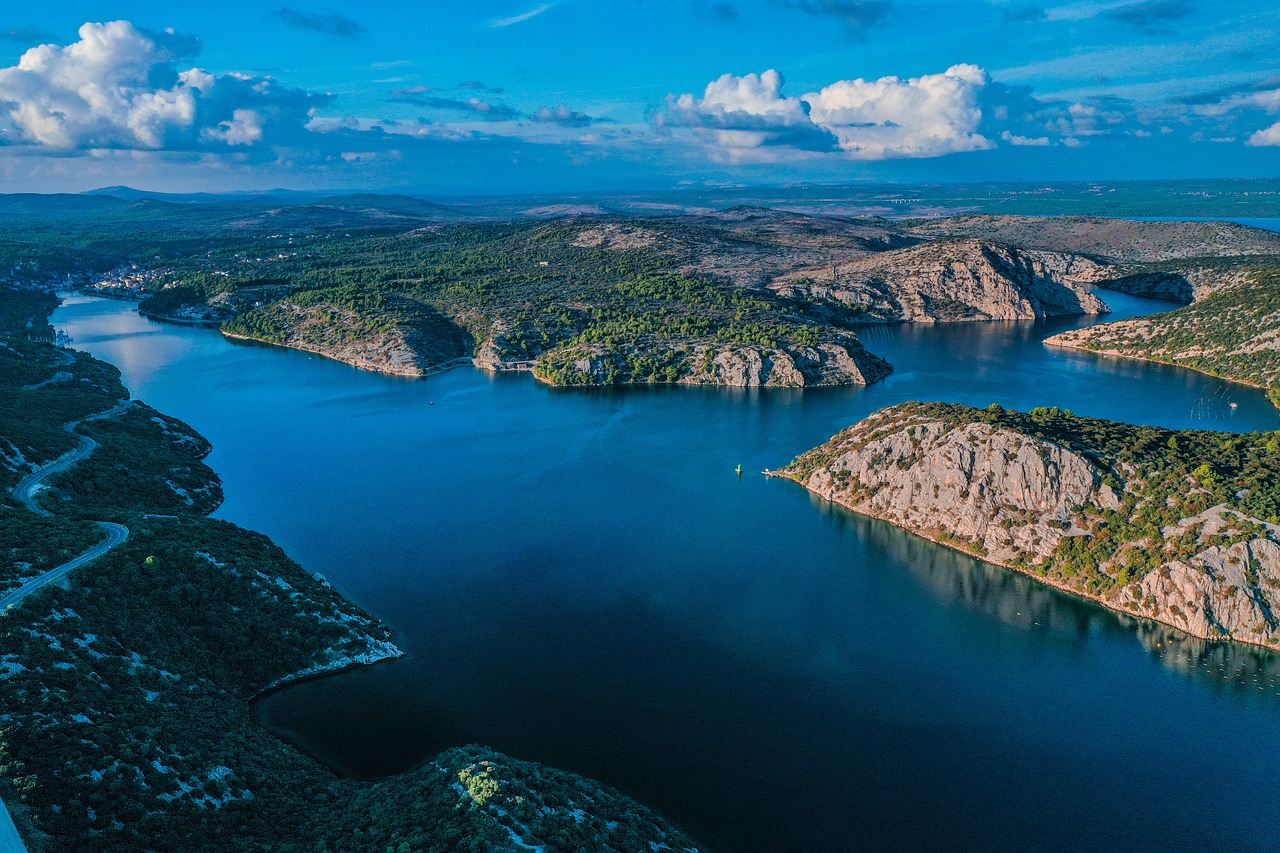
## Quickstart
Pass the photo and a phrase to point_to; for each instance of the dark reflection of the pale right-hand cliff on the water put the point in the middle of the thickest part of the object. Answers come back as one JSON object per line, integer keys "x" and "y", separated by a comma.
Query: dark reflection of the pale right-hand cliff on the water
{"x": 1022, "y": 603}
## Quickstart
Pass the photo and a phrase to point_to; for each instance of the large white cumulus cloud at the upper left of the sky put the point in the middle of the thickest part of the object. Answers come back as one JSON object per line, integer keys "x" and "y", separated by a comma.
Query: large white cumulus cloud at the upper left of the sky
{"x": 121, "y": 88}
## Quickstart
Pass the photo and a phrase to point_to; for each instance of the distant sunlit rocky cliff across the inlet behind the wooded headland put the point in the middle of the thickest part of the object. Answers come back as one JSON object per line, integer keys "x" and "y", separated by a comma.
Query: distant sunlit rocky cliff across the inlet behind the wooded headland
{"x": 949, "y": 281}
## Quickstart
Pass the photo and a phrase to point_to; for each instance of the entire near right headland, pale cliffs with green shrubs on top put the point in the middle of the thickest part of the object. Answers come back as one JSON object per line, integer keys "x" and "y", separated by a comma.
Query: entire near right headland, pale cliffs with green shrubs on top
{"x": 1133, "y": 518}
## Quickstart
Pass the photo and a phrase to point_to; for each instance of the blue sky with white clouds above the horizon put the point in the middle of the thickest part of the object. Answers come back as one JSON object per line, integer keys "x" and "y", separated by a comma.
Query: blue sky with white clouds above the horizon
{"x": 513, "y": 97}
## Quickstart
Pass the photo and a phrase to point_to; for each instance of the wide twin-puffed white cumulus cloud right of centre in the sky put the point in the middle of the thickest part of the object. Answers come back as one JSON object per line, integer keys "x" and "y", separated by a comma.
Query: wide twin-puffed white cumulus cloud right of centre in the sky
{"x": 886, "y": 118}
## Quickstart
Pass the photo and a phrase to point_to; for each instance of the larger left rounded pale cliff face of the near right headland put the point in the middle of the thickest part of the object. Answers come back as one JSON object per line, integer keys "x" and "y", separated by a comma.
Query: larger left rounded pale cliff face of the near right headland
{"x": 989, "y": 491}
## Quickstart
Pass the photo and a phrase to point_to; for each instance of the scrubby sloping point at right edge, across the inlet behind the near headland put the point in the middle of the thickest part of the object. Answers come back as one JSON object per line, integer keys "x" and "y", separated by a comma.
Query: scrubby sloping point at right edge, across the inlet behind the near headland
{"x": 1233, "y": 332}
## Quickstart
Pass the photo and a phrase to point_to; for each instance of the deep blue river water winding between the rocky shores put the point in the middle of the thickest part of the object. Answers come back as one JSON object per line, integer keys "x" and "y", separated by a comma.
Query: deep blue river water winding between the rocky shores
{"x": 580, "y": 578}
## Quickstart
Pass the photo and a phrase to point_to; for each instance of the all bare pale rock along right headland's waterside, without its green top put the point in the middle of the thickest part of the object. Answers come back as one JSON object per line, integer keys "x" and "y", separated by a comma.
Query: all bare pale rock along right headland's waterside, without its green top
{"x": 1013, "y": 500}
